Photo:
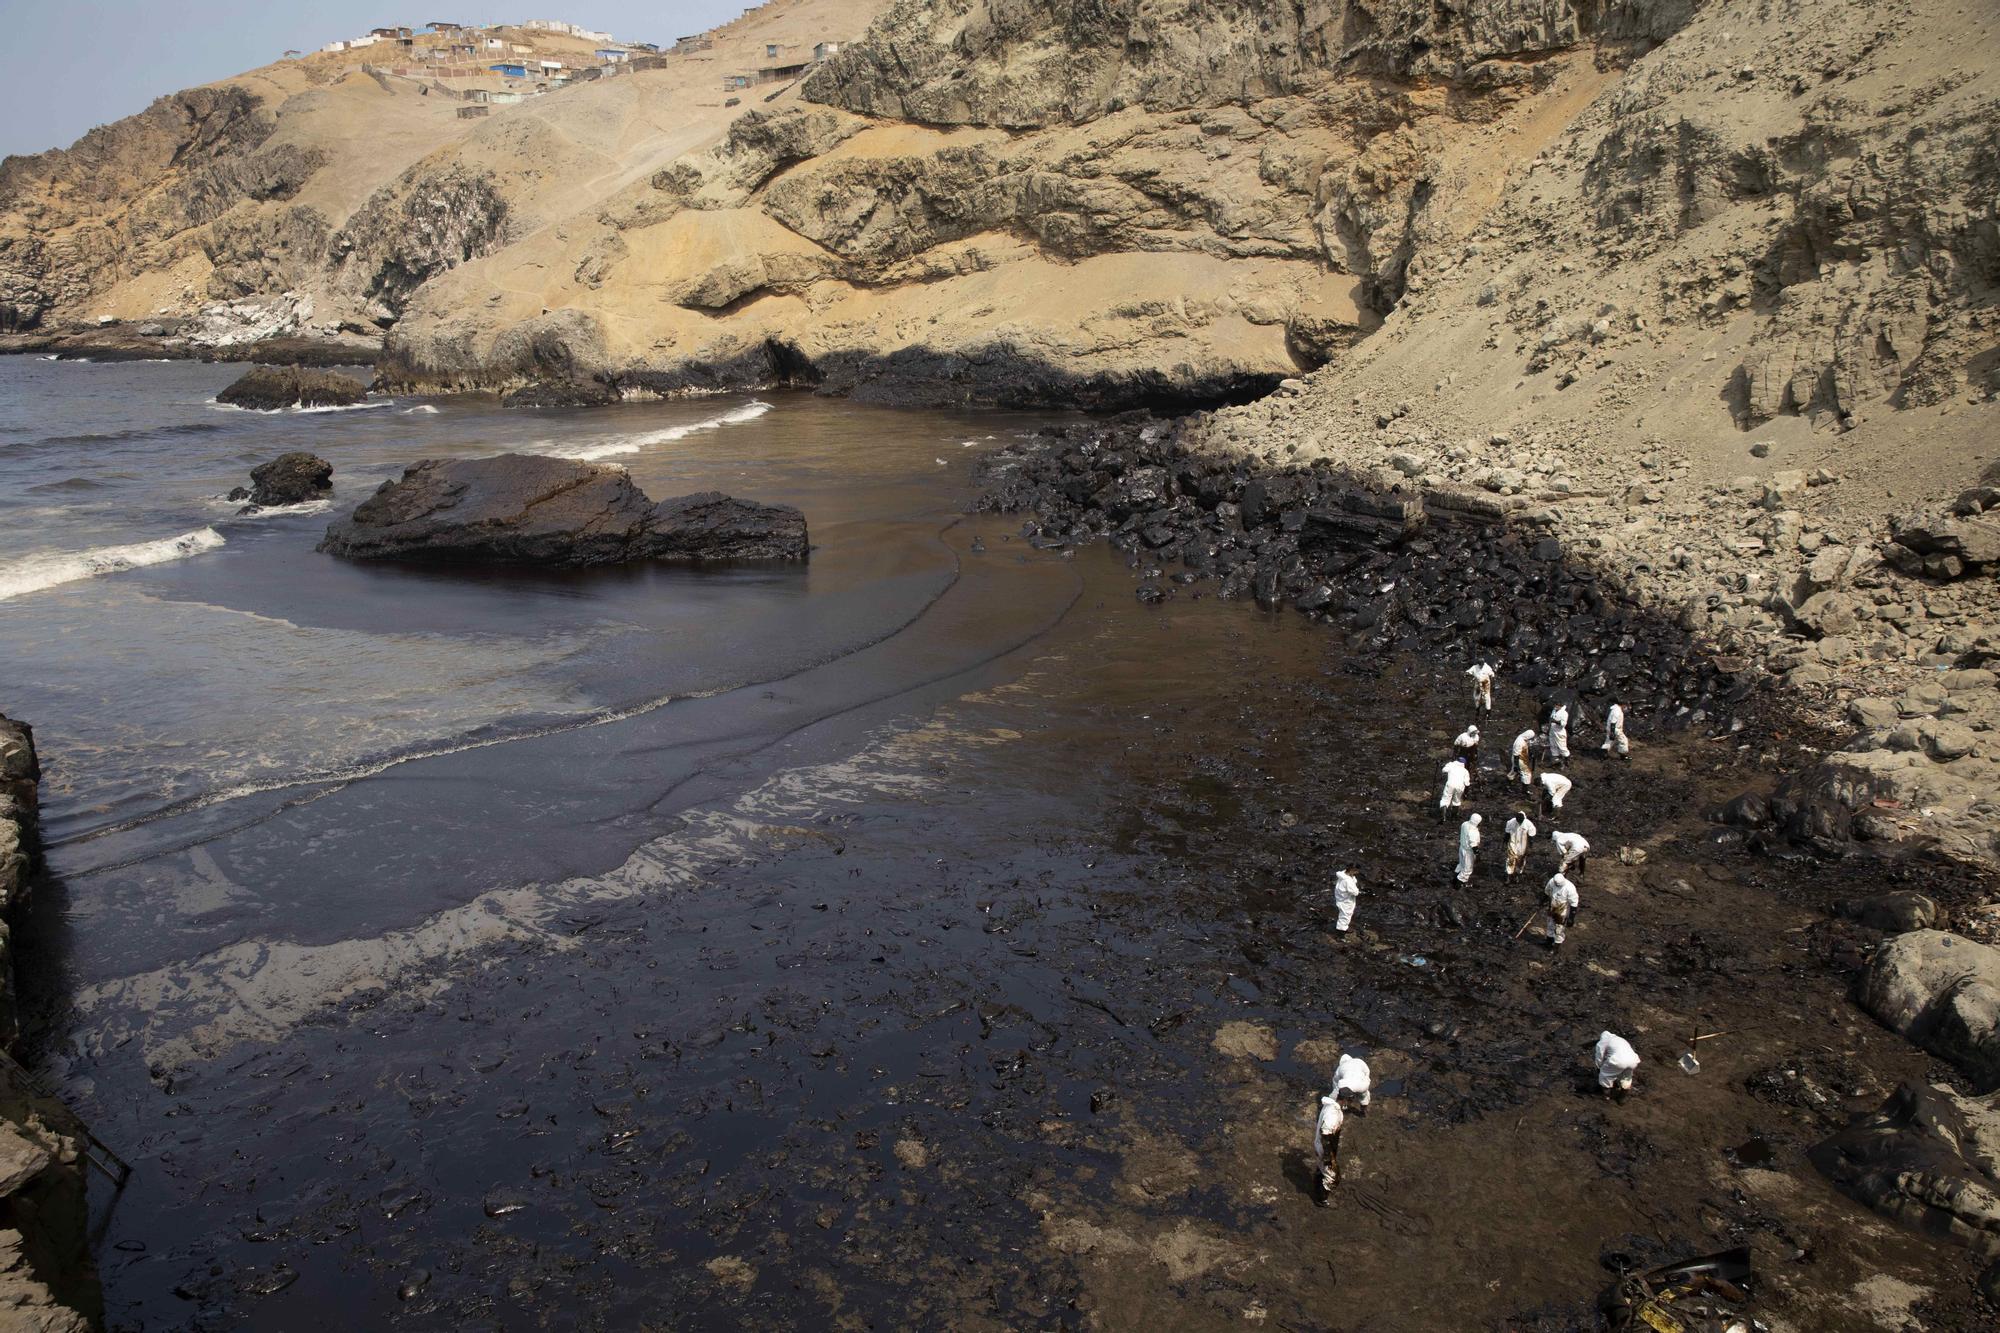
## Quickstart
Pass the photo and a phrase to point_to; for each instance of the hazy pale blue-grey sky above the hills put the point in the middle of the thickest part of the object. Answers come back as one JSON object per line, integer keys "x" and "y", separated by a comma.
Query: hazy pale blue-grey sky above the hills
{"x": 85, "y": 63}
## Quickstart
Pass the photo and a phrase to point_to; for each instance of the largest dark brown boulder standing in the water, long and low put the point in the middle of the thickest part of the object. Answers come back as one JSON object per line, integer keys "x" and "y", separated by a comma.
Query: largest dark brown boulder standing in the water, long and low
{"x": 529, "y": 509}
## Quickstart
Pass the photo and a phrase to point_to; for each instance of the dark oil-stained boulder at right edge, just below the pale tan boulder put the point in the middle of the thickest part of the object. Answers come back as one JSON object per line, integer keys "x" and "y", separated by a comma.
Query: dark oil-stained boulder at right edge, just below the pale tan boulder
{"x": 1931, "y": 1160}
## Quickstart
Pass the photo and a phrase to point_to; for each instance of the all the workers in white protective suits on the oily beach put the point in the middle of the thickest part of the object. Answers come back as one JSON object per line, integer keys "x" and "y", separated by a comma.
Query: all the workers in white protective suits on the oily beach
{"x": 1551, "y": 740}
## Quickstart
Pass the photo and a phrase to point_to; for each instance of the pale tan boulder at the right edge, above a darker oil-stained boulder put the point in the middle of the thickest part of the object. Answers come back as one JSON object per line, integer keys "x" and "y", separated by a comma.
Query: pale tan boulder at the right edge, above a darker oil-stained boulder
{"x": 1941, "y": 992}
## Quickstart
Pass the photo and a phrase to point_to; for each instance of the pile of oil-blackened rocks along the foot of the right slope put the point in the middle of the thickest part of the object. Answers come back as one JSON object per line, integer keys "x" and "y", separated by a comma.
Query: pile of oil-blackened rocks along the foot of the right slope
{"x": 1381, "y": 563}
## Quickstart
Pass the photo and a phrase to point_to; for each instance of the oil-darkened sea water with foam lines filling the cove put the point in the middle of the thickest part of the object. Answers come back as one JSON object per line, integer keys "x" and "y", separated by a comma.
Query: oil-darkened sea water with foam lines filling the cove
{"x": 513, "y": 950}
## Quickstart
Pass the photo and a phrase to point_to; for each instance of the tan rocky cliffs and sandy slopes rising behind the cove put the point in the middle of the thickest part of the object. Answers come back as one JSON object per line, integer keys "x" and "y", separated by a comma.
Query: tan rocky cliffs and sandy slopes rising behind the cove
{"x": 1099, "y": 205}
